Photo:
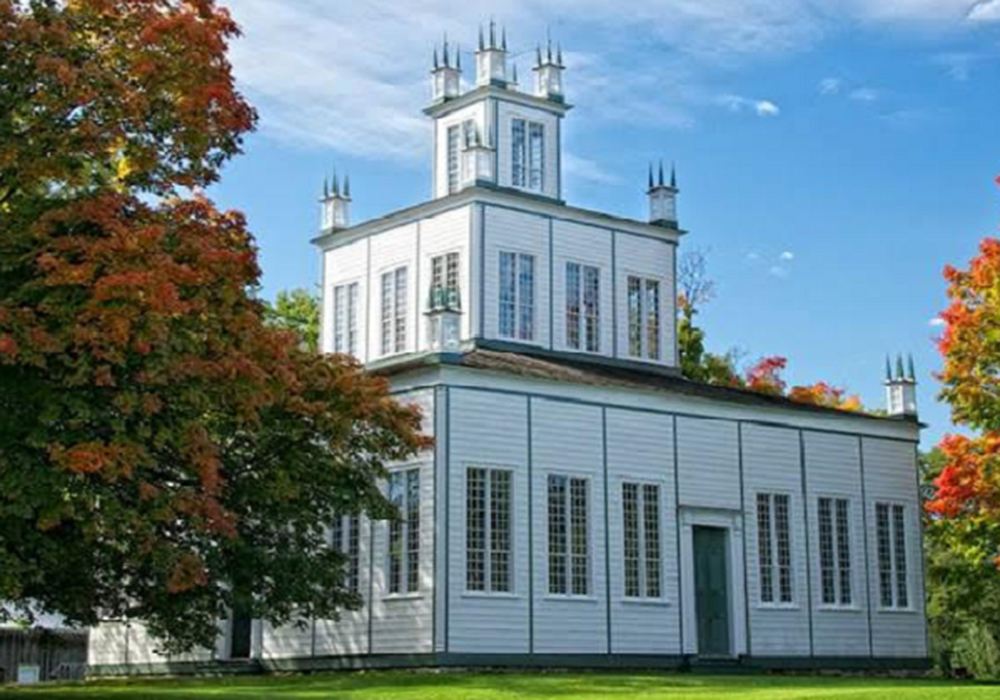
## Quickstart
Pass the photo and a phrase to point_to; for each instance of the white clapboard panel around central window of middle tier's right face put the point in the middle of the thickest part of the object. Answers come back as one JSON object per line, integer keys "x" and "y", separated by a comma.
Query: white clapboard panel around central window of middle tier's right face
{"x": 585, "y": 245}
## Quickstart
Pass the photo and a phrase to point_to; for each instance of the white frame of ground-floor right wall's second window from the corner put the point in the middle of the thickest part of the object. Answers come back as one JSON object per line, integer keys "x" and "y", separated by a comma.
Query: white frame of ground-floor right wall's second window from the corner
{"x": 568, "y": 551}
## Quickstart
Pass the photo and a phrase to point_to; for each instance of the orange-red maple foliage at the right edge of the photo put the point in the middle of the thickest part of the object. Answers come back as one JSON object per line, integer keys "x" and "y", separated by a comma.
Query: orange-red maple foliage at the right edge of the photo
{"x": 966, "y": 504}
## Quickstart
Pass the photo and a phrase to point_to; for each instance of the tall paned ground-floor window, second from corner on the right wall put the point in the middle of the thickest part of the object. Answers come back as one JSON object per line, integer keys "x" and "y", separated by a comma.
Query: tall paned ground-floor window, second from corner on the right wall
{"x": 569, "y": 534}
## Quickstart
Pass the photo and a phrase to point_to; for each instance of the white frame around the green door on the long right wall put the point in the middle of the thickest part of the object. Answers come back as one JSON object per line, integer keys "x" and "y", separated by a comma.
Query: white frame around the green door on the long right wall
{"x": 732, "y": 521}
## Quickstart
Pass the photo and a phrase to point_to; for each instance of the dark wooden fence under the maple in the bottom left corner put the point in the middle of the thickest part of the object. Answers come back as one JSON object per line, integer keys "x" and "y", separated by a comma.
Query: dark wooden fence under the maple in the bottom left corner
{"x": 58, "y": 654}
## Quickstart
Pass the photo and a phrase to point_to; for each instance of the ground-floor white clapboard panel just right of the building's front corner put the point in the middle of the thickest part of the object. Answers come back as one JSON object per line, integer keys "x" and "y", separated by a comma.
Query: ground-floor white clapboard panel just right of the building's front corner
{"x": 488, "y": 431}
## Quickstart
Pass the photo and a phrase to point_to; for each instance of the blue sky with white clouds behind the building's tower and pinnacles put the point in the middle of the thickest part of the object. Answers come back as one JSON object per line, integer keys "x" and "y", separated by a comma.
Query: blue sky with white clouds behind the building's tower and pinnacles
{"x": 833, "y": 156}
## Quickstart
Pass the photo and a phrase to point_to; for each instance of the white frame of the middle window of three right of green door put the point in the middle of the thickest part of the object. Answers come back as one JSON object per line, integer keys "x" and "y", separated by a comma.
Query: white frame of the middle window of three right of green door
{"x": 838, "y": 542}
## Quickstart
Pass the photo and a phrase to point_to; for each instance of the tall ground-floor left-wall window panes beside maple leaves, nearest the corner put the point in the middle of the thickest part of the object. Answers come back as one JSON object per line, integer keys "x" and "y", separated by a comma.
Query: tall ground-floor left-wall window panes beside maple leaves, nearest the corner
{"x": 404, "y": 532}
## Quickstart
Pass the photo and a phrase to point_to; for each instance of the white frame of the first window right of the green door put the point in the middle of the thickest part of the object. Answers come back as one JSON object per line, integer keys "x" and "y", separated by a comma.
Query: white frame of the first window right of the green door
{"x": 770, "y": 568}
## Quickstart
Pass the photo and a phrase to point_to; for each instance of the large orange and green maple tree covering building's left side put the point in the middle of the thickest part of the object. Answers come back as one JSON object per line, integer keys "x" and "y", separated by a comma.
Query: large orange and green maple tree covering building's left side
{"x": 164, "y": 451}
